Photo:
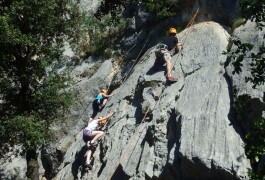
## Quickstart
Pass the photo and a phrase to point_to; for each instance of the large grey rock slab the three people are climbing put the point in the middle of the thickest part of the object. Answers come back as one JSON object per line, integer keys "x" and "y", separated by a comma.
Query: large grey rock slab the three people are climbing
{"x": 188, "y": 133}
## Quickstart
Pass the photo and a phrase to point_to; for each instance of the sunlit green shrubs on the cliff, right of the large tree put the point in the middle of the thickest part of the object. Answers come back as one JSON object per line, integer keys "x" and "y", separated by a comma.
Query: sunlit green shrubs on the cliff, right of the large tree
{"x": 97, "y": 35}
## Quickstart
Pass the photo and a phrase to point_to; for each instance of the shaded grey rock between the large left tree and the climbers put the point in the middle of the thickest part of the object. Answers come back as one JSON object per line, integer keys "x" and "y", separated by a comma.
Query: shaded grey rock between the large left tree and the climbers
{"x": 90, "y": 77}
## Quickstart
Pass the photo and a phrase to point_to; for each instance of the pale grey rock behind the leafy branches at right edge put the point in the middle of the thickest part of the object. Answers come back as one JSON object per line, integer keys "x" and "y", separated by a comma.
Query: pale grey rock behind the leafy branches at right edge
{"x": 244, "y": 92}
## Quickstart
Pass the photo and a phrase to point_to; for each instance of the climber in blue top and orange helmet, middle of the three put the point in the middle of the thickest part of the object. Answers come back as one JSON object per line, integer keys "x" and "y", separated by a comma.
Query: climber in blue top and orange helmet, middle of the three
{"x": 99, "y": 102}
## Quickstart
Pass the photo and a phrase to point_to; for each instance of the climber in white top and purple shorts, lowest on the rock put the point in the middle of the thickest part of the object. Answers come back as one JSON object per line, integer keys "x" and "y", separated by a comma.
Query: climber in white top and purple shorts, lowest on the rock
{"x": 90, "y": 136}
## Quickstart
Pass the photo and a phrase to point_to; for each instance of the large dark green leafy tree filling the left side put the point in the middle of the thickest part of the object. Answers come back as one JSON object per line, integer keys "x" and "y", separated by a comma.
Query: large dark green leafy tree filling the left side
{"x": 31, "y": 36}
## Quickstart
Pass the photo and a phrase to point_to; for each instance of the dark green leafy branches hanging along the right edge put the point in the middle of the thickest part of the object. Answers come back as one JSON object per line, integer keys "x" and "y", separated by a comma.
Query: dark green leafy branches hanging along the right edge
{"x": 255, "y": 138}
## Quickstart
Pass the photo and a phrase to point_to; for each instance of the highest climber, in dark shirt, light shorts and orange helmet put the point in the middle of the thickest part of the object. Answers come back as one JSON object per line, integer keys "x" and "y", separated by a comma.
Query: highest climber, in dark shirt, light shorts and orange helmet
{"x": 164, "y": 52}
